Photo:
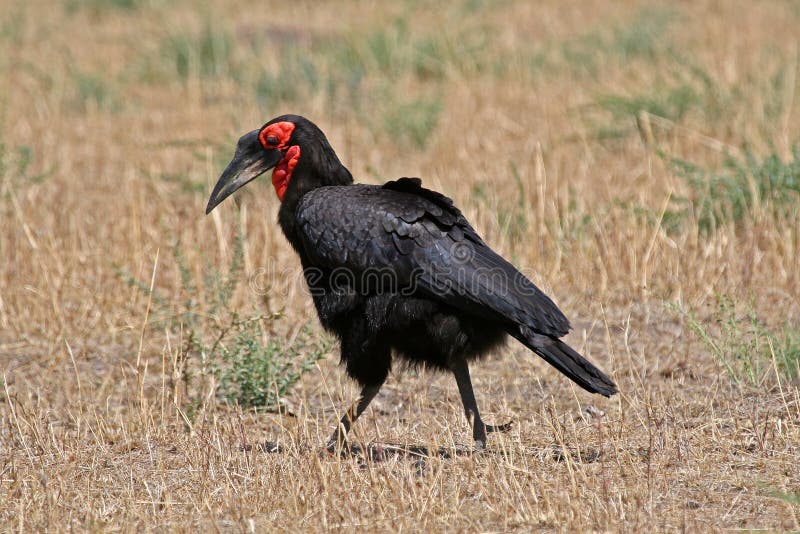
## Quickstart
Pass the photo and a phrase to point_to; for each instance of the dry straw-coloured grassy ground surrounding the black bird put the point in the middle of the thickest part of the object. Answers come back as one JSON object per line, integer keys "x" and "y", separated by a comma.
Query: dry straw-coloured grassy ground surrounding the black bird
{"x": 637, "y": 160}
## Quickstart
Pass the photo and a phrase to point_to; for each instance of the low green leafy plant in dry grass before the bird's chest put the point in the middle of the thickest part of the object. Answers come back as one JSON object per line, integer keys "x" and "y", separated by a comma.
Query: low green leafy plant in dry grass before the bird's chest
{"x": 237, "y": 355}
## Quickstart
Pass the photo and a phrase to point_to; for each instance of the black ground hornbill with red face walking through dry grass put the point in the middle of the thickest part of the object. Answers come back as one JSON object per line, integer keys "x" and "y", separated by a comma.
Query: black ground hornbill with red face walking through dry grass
{"x": 397, "y": 269}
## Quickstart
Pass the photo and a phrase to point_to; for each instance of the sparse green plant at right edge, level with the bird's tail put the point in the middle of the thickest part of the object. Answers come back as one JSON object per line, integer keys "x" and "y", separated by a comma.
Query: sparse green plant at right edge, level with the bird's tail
{"x": 747, "y": 349}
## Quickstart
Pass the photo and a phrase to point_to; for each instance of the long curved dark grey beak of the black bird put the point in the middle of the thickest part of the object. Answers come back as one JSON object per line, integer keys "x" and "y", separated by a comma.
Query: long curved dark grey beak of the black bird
{"x": 249, "y": 162}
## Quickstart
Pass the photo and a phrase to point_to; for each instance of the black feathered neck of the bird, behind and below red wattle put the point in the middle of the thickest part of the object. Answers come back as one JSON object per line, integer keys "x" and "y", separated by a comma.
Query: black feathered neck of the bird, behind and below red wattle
{"x": 310, "y": 173}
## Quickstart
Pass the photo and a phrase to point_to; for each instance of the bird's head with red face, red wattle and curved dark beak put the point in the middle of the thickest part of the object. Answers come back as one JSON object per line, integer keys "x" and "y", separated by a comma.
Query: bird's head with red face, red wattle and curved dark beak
{"x": 287, "y": 144}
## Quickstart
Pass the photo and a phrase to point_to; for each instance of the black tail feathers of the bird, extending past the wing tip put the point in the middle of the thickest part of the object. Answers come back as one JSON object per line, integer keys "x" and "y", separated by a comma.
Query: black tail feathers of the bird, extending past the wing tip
{"x": 565, "y": 359}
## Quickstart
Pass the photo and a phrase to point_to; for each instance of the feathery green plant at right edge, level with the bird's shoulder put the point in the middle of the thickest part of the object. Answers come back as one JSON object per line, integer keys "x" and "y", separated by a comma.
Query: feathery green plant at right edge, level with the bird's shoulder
{"x": 742, "y": 185}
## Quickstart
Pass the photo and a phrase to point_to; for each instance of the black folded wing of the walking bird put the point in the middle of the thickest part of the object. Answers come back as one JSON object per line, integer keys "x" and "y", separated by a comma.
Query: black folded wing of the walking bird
{"x": 422, "y": 239}
